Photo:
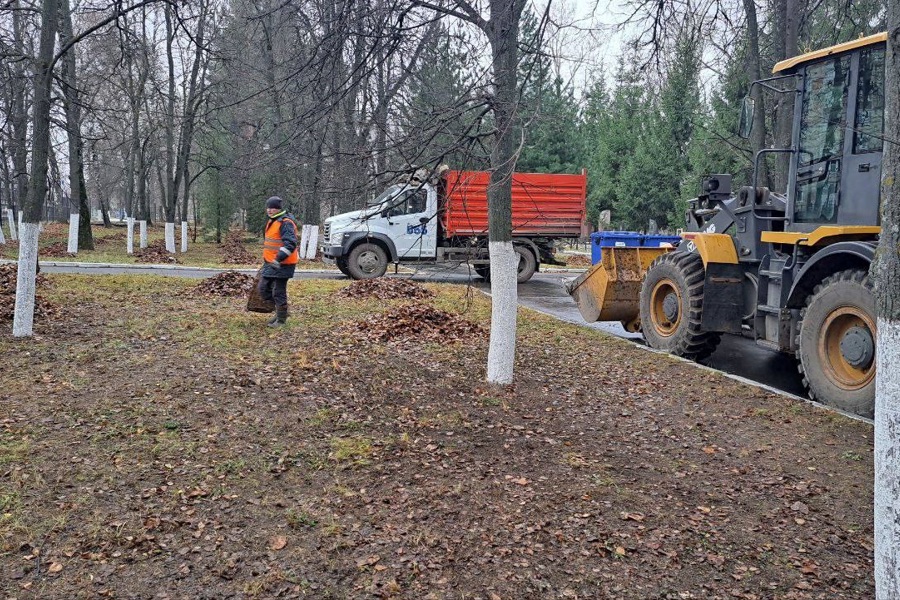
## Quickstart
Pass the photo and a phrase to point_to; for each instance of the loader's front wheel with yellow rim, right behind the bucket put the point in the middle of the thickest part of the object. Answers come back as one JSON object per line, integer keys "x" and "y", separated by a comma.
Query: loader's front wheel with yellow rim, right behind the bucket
{"x": 671, "y": 305}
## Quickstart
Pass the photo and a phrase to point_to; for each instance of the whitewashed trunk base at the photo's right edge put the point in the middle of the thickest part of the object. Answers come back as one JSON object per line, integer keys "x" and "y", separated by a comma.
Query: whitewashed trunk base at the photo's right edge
{"x": 887, "y": 460}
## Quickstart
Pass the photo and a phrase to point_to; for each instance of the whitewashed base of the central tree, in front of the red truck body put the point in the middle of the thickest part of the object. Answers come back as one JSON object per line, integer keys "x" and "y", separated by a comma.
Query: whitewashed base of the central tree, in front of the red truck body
{"x": 504, "y": 306}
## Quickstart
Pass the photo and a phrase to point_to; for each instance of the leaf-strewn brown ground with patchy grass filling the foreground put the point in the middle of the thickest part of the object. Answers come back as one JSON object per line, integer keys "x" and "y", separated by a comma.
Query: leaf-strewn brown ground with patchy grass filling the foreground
{"x": 154, "y": 441}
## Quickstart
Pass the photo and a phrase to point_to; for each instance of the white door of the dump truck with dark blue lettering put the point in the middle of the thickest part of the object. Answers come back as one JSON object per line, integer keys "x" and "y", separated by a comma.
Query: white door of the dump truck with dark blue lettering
{"x": 413, "y": 238}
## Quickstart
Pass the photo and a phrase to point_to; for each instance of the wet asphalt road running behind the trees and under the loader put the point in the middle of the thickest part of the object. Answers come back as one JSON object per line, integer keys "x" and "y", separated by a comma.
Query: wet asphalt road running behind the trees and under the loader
{"x": 545, "y": 293}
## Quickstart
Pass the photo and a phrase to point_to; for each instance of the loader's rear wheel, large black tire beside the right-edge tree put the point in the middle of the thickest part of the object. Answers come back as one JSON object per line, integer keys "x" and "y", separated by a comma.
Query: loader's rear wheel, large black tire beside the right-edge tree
{"x": 837, "y": 343}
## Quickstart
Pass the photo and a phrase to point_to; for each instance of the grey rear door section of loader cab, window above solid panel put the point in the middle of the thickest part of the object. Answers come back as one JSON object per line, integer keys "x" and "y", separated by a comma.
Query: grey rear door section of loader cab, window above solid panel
{"x": 862, "y": 167}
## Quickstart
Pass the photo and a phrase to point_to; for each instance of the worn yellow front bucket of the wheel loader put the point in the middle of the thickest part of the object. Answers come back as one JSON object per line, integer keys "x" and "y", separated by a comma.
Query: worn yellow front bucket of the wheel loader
{"x": 611, "y": 289}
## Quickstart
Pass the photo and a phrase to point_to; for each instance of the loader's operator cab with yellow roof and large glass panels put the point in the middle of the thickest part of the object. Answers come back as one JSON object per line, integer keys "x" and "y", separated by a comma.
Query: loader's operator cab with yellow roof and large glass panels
{"x": 835, "y": 172}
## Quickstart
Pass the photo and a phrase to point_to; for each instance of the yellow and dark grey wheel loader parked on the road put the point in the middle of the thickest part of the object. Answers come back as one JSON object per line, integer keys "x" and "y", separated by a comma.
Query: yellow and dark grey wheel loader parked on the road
{"x": 791, "y": 268}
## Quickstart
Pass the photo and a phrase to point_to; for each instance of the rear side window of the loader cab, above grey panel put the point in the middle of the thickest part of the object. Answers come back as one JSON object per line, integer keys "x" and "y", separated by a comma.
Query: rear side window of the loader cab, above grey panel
{"x": 869, "y": 121}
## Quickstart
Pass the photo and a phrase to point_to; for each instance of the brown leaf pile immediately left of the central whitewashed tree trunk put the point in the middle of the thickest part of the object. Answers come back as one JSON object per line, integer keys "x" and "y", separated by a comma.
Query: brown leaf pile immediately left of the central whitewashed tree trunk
{"x": 420, "y": 322}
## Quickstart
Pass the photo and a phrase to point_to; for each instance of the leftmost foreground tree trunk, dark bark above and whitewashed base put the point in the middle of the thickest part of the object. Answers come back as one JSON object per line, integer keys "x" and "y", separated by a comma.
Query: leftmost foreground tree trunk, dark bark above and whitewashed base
{"x": 23, "y": 317}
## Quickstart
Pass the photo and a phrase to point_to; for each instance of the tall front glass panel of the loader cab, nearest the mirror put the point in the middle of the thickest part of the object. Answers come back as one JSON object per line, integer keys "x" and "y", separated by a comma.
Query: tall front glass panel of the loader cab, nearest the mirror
{"x": 823, "y": 121}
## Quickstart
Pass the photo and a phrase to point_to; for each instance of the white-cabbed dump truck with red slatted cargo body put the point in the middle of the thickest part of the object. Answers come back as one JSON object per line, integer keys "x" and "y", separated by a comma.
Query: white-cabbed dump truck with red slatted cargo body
{"x": 443, "y": 219}
